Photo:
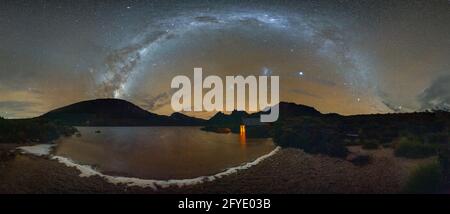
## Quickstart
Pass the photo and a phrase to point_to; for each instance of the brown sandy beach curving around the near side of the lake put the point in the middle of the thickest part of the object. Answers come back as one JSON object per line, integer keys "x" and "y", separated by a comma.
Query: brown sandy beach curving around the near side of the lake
{"x": 288, "y": 171}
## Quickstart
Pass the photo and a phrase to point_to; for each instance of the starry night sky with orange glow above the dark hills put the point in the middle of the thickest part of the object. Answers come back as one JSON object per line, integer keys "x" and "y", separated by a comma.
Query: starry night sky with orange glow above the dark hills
{"x": 348, "y": 57}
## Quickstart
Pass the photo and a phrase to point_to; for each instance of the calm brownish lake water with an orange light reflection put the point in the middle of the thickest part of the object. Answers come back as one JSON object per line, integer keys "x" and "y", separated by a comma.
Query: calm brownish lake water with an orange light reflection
{"x": 160, "y": 152}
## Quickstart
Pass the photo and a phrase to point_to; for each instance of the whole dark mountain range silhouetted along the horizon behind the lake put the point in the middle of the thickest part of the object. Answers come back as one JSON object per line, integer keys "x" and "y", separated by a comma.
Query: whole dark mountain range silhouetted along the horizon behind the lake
{"x": 116, "y": 112}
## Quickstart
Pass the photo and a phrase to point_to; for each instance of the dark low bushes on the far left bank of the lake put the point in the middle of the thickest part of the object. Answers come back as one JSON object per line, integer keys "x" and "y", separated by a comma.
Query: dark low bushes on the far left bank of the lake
{"x": 32, "y": 131}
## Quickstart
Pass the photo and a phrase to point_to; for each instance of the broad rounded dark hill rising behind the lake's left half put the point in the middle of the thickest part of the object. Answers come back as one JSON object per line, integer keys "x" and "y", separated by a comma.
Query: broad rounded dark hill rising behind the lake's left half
{"x": 115, "y": 112}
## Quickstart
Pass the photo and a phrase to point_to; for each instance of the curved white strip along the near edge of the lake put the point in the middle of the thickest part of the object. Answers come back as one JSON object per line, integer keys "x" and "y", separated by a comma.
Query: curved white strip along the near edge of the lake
{"x": 87, "y": 171}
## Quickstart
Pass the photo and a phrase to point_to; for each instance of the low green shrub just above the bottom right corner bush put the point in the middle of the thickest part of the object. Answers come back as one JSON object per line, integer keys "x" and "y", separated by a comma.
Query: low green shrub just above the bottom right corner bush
{"x": 413, "y": 148}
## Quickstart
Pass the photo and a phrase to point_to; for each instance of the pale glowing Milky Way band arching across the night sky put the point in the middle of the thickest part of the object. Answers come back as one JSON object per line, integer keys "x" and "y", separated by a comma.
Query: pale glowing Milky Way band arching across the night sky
{"x": 328, "y": 36}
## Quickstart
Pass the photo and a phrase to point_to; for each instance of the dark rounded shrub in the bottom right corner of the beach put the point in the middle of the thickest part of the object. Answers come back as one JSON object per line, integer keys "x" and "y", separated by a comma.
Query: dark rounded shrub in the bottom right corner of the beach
{"x": 425, "y": 179}
